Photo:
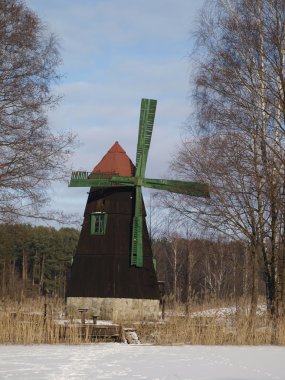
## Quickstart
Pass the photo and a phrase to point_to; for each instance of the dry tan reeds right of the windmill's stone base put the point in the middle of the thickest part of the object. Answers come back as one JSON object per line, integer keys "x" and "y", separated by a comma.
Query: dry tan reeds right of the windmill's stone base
{"x": 213, "y": 331}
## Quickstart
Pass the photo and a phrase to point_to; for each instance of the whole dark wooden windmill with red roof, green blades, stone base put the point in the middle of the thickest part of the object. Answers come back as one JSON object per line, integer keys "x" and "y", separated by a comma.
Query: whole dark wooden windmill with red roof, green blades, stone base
{"x": 113, "y": 271}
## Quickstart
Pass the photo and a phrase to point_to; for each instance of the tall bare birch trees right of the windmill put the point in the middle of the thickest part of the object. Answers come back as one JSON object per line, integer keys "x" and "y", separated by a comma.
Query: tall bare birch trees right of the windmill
{"x": 239, "y": 147}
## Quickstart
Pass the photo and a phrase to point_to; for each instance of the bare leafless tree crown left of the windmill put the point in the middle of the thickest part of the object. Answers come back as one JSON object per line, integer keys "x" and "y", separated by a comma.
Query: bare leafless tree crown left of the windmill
{"x": 31, "y": 154}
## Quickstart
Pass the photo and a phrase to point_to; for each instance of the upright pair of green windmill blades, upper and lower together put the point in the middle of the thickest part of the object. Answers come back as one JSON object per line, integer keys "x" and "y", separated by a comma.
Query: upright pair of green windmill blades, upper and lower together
{"x": 147, "y": 114}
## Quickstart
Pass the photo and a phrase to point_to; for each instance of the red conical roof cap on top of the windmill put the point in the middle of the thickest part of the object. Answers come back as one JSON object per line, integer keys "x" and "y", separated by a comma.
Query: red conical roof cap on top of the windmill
{"x": 115, "y": 162}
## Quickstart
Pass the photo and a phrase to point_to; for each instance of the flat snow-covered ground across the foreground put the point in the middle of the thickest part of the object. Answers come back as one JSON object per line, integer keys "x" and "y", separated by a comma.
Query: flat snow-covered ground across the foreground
{"x": 122, "y": 361}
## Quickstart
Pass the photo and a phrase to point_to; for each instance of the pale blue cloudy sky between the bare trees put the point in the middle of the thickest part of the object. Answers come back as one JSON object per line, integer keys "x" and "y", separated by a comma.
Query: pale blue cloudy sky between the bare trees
{"x": 115, "y": 52}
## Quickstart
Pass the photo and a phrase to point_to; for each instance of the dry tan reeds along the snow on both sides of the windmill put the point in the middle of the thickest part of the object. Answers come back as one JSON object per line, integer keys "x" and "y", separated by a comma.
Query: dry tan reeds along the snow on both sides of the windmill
{"x": 33, "y": 323}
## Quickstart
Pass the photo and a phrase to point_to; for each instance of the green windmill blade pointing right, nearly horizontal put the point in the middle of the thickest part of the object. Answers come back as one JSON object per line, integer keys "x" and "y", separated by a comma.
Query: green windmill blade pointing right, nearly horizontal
{"x": 194, "y": 189}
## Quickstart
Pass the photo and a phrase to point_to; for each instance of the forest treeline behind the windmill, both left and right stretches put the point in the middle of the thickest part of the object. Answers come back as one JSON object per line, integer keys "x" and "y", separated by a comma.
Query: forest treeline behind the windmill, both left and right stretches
{"x": 36, "y": 260}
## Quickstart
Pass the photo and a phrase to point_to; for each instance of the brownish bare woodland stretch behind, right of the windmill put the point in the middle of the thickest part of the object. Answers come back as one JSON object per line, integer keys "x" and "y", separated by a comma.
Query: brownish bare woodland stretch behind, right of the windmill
{"x": 200, "y": 269}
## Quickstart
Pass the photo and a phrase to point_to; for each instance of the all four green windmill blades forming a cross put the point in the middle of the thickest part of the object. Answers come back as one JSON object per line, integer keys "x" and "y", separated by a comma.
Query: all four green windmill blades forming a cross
{"x": 106, "y": 179}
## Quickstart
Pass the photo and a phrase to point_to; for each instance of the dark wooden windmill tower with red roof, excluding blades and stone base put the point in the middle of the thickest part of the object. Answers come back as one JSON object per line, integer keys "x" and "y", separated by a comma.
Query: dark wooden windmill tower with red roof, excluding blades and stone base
{"x": 101, "y": 266}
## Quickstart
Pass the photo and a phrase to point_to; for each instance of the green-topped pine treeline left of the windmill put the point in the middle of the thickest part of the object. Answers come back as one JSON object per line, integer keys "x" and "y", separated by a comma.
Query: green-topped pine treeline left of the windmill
{"x": 35, "y": 260}
